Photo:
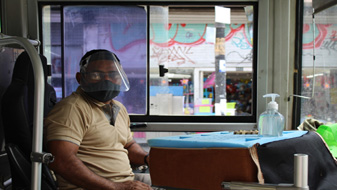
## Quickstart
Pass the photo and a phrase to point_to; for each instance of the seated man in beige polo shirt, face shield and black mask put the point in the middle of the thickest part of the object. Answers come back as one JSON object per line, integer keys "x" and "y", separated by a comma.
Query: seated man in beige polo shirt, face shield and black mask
{"x": 88, "y": 132}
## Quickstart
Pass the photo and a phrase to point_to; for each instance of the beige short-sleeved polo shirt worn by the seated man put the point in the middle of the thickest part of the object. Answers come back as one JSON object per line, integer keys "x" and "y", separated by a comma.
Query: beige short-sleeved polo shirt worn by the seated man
{"x": 79, "y": 119}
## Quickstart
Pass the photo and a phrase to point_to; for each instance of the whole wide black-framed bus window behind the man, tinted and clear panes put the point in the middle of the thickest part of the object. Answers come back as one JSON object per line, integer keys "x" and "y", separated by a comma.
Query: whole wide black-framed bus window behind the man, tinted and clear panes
{"x": 185, "y": 63}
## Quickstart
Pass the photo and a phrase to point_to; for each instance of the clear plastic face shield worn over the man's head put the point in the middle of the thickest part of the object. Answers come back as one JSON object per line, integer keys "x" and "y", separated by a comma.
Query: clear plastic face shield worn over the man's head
{"x": 99, "y": 81}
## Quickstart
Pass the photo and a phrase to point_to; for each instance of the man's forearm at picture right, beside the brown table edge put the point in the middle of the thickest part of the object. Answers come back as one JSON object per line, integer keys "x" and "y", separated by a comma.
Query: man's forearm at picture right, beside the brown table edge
{"x": 136, "y": 153}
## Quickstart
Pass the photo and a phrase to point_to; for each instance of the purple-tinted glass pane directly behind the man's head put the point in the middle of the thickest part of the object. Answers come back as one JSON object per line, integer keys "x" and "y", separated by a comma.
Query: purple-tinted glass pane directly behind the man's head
{"x": 120, "y": 29}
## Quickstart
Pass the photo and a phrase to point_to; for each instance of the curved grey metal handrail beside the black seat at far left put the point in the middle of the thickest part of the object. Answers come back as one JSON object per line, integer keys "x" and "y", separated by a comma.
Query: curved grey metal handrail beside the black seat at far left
{"x": 39, "y": 82}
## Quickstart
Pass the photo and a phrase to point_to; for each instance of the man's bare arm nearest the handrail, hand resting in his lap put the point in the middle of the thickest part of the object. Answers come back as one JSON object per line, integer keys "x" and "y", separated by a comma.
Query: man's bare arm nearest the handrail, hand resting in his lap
{"x": 71, "y": 168}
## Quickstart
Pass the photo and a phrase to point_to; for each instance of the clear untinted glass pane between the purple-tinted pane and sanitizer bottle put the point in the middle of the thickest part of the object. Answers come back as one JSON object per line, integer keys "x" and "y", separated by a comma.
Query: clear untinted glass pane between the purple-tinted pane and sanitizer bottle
{"x": 201, "y": 60}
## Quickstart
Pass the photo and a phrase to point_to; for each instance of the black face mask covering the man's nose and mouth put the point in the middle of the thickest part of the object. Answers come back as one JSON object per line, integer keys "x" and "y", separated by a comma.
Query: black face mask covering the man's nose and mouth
{"x": 102, "y": 91}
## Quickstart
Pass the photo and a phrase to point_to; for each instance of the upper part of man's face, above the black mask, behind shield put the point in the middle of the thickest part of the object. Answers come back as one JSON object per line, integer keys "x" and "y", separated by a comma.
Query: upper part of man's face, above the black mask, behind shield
{"x": 102, "y": 70}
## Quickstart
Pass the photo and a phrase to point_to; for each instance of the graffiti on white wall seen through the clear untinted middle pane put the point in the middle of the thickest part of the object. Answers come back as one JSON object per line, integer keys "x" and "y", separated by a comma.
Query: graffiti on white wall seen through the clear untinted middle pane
{"x": 193, "y": 45}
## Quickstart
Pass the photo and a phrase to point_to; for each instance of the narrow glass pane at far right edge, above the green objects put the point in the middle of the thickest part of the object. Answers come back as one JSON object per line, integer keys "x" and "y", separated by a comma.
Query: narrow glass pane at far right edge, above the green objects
{"x": 319, "y": 75}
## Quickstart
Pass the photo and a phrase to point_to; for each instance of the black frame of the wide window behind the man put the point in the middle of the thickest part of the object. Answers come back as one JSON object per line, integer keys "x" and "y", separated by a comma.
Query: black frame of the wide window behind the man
{"x": 182, "y": 123}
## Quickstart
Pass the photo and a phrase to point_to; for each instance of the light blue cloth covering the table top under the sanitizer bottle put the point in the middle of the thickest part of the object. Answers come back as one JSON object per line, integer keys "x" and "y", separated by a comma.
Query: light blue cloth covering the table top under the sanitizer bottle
{"x": 223, "y": 139}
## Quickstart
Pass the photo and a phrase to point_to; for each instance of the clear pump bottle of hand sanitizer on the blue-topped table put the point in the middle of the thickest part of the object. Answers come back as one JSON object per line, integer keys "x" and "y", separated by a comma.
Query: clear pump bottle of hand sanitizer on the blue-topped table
{"x": 271, "y": 122}
